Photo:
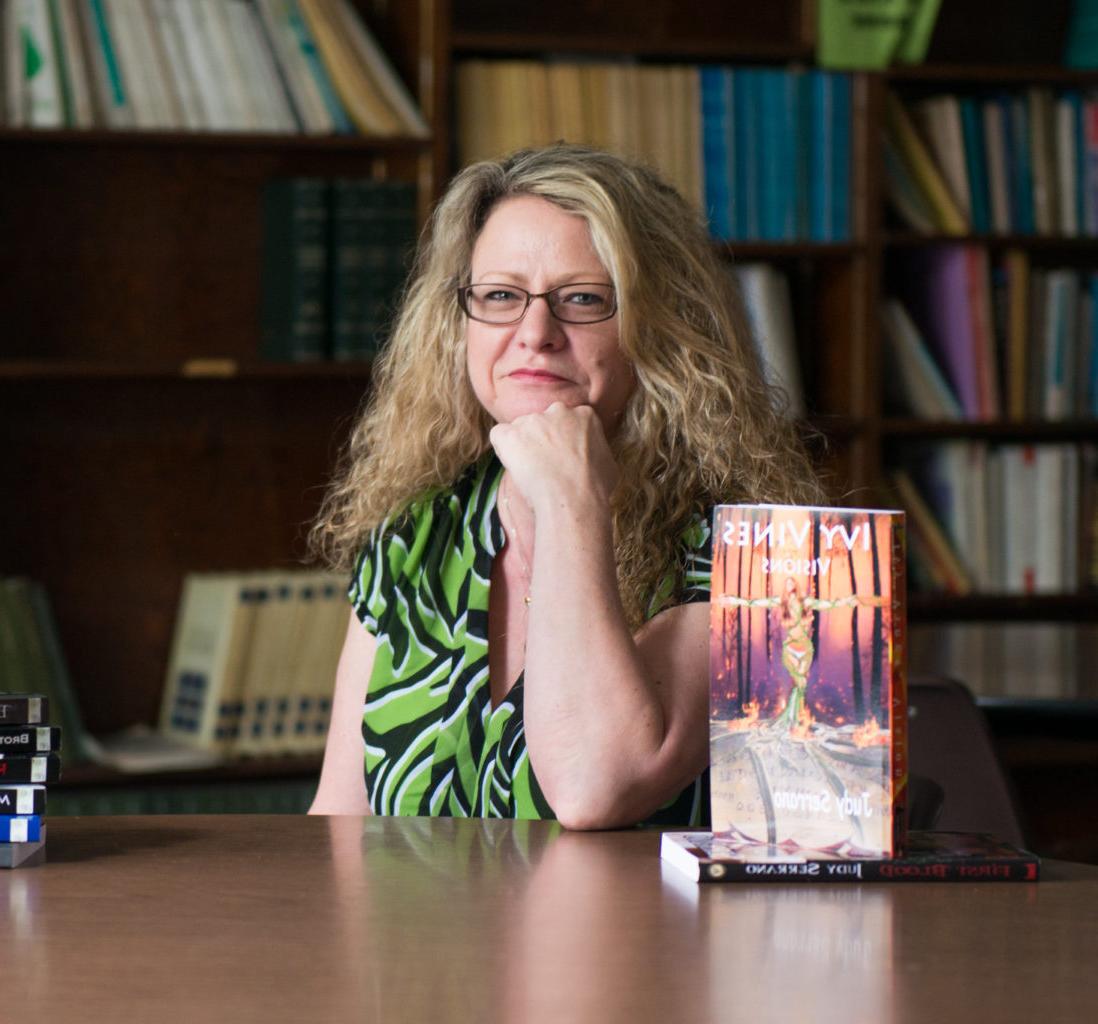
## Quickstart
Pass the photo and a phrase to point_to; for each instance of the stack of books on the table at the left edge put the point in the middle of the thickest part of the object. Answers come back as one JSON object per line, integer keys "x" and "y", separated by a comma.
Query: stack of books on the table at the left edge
{"x": 29, "y": 759}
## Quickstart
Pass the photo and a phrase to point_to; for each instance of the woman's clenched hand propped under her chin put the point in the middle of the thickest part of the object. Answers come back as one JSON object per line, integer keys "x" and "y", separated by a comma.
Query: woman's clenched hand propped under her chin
{"x": 558, "y": 457}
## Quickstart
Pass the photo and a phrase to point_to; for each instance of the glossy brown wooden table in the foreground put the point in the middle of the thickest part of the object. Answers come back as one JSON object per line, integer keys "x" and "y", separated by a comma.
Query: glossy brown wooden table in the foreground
{"x": 271, "y": 919}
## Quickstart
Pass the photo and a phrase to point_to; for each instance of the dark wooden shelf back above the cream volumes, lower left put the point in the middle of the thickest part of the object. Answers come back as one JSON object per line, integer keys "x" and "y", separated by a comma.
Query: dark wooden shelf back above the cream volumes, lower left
{"x": 115, "y": 490}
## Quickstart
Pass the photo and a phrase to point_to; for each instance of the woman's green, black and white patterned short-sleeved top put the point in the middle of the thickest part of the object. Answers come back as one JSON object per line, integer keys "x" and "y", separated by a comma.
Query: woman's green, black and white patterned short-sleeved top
{"x": 434, "y": 744}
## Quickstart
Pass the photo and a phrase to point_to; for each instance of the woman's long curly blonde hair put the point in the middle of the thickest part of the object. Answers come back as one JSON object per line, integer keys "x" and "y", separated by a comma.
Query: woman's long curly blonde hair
{"x": 702, "y": 426}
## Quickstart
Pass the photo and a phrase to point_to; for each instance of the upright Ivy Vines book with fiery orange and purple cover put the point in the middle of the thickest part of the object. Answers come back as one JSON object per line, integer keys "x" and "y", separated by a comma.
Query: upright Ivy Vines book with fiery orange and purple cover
{"x": 808, "y": 697}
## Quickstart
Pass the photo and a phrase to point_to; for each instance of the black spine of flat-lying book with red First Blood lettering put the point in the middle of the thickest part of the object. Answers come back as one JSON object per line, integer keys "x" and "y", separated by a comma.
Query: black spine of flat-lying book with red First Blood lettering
{"x": 992, "y": 870}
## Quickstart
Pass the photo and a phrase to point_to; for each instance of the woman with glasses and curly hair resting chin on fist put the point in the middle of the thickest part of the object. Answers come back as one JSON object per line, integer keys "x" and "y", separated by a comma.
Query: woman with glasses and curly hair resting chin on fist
{"x": 526, "y": 500}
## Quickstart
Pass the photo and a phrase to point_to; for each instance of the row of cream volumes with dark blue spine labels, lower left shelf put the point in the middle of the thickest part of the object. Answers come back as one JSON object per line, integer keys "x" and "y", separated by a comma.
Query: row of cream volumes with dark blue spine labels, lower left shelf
{"x": 253, "y": 662}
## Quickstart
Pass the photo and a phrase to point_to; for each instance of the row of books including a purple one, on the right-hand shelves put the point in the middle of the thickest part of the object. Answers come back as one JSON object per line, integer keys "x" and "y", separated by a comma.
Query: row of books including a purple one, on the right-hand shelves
{"x": 971, "y": 337}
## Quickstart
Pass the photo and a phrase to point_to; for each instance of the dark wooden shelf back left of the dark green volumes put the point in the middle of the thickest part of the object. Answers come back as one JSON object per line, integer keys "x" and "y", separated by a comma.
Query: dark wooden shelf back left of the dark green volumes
{"x": 124, "y": 252}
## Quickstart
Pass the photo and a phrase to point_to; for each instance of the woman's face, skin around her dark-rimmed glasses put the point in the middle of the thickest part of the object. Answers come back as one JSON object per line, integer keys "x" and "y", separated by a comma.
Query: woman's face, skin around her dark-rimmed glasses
{"x": 517, "y": 369}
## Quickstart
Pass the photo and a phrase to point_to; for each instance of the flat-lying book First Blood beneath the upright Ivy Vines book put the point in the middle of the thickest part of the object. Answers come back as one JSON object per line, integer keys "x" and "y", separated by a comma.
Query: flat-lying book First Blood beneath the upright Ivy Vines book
{"x": 929, "y": 857}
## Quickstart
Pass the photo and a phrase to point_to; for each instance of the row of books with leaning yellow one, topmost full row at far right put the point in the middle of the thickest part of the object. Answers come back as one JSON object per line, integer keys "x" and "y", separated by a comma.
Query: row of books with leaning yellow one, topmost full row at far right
{"x": 1019, "y": 162}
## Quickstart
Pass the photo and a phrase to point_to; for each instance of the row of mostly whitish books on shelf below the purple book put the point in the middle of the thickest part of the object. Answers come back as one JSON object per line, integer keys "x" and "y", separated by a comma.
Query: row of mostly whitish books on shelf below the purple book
{"x": 1001, "y": 519}
